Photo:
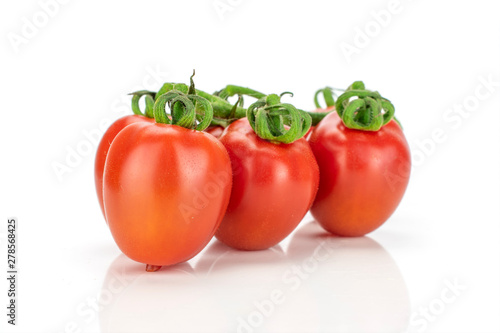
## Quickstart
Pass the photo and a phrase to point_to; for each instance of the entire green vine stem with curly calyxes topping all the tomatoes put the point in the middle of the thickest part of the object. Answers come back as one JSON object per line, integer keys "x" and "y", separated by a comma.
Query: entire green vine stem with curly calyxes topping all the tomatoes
{"x": 272, "y": 120}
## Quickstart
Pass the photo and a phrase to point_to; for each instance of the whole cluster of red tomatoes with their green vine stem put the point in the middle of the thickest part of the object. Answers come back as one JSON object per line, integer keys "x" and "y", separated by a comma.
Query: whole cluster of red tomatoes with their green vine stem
{"x": 167, "y": 183}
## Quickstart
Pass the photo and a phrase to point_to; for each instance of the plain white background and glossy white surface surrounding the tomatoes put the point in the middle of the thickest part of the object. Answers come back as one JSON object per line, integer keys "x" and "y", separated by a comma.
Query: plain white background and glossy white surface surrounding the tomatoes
{"x": 73, "y": 72}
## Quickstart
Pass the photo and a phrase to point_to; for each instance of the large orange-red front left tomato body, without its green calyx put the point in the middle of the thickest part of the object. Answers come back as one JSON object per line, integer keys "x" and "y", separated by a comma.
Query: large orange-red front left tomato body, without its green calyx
{"x": 166, "y": 189}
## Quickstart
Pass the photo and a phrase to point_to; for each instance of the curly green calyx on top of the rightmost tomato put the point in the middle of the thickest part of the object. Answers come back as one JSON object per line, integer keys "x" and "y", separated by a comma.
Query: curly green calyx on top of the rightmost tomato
{"x": 368, "y": 112}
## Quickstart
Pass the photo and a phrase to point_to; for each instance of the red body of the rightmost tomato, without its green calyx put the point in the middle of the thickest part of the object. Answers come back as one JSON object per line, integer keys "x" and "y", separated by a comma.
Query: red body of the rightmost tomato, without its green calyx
{"x": 363, "y": 175}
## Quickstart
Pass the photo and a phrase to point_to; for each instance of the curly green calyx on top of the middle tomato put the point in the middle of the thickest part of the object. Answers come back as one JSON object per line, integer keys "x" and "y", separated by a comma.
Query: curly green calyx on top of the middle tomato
{"x": 268, "y": 117}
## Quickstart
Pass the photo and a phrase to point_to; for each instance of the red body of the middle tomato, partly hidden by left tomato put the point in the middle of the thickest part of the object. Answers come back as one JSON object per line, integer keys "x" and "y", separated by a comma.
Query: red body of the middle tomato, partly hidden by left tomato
{"x": 273, "y": 187}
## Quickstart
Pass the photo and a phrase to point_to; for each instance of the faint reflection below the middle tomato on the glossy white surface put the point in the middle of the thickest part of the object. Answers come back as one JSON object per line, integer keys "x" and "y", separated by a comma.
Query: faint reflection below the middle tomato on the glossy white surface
{"x": 248, "y": 278}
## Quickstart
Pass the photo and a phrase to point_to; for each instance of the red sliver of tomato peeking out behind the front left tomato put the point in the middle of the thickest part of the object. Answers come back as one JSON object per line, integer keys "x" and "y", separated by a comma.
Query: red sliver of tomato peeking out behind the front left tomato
{"x": 103, "y": 148}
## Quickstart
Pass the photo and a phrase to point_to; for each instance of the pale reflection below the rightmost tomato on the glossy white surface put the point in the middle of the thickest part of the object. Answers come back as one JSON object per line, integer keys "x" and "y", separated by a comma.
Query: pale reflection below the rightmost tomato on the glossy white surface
{"x": 368, "y": 283}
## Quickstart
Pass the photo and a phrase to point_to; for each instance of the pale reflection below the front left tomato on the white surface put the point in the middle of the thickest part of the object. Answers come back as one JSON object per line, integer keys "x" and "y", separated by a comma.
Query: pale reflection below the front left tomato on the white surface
{"x": 132, "y": 300}
